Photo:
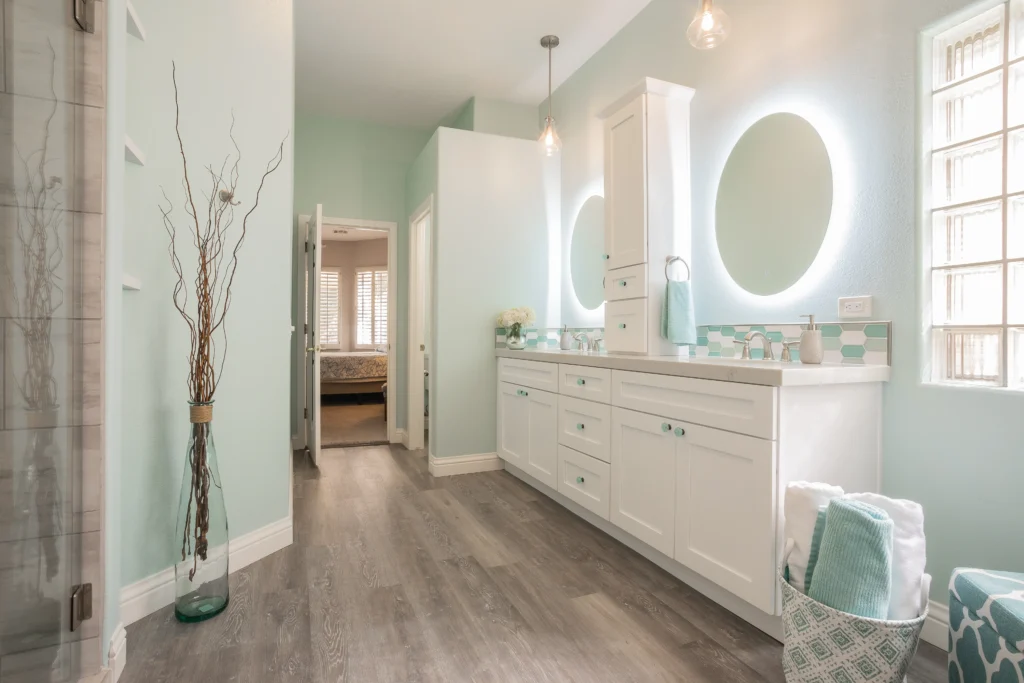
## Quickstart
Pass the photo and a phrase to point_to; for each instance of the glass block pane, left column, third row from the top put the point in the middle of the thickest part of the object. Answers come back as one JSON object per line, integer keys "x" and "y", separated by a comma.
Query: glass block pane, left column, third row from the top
{"x": 968, "y": 174}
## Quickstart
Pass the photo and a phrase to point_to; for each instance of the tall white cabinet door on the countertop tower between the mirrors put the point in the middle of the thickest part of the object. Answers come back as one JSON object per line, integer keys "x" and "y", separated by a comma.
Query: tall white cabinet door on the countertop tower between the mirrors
{"x": 626, "y": 186}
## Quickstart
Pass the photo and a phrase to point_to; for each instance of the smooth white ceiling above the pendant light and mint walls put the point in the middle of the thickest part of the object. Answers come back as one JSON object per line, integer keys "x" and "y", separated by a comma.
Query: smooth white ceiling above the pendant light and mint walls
{"x": 414, "y": 63}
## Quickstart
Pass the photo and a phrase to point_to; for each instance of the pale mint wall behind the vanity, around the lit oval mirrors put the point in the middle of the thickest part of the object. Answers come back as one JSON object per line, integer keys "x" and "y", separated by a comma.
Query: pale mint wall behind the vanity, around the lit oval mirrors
{"x": 852, "y": 67}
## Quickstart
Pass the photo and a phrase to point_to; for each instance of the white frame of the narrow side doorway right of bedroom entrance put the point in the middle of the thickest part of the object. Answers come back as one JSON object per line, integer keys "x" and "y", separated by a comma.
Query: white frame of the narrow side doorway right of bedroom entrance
{"x": 414, "y": 416}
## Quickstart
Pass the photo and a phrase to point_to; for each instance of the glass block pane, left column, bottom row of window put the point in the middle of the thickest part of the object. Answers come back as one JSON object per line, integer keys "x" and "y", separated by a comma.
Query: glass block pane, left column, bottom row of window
{"x": 971, "y": 357}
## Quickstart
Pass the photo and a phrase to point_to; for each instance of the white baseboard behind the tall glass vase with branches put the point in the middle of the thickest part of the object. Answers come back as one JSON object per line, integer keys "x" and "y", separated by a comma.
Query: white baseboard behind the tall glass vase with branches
{"x": 157, "y": 591}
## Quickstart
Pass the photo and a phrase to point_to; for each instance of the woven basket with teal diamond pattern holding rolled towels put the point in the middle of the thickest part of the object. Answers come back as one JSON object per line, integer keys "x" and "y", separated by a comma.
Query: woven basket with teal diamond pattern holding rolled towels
{"x": 825, "y": 646}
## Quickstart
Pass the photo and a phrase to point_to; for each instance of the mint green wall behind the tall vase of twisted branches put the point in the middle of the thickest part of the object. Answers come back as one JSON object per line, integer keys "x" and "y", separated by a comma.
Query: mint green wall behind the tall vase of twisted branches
{"x": 232, "y": 56}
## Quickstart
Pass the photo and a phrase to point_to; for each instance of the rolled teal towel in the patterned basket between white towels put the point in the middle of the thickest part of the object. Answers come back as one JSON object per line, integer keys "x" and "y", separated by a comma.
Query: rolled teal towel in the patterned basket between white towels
{"x": 855, "y": 568}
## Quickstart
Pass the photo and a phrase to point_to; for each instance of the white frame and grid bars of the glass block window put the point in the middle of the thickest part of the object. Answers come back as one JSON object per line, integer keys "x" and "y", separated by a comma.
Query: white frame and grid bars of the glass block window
{"x": 931, "y": 374}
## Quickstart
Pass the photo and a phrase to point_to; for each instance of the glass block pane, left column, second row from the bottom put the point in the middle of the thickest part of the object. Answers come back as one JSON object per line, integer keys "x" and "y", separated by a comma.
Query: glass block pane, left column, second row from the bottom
{"x": 968, "y": 296}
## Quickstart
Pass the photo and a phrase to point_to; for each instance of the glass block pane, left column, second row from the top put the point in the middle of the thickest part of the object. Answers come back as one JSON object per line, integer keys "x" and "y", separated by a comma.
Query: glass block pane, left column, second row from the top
{"x": 969, "y": 111}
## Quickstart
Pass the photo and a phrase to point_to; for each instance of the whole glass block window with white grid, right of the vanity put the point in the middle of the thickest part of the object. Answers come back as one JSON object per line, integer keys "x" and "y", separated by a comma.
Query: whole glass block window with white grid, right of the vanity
{"x": 976, "y": 224}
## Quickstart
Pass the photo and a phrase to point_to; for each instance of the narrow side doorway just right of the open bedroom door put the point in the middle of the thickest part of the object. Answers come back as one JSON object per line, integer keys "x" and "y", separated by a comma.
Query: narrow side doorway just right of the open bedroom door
{"x": 420, "y": 317}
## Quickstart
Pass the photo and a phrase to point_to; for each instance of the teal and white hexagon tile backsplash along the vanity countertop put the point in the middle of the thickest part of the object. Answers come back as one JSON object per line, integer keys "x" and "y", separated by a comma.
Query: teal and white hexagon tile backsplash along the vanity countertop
{"x": 855, "y": 344}
